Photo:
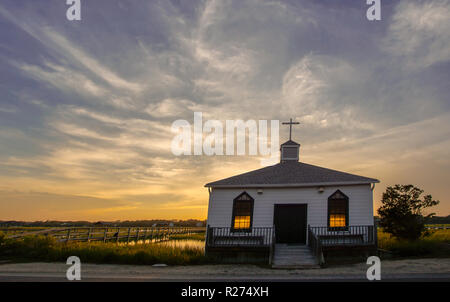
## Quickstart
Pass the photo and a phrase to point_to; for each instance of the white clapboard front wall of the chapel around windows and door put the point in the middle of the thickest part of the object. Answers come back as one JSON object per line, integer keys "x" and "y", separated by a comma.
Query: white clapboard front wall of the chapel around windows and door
{"x": 360, "y": 204}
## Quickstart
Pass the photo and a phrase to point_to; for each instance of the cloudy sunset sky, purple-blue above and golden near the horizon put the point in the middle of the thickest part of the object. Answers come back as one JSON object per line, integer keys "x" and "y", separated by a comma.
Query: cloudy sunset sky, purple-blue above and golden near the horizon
{"x": 86, "y": 106}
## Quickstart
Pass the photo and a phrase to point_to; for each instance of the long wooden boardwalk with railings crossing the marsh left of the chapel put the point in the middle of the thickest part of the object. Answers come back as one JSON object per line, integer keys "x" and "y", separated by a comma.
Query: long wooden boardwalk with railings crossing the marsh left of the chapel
{"x": 112, "y": 234}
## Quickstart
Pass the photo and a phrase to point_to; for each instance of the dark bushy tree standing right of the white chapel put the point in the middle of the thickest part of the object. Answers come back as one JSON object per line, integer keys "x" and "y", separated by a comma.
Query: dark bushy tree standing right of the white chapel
{"x": 401, "y": 213}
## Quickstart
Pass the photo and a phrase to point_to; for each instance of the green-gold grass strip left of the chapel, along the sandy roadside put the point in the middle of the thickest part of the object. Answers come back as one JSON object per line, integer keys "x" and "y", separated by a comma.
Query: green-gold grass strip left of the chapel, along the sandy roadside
{"x": 40, "y": 248}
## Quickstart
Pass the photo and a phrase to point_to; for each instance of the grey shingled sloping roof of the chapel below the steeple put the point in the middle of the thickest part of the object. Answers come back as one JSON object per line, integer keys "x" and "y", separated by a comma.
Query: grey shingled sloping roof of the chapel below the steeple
{"x": 291, "y": 174}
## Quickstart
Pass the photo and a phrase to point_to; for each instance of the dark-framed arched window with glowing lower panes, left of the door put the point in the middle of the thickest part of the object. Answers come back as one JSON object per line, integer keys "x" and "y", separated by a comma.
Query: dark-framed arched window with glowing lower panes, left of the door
{"x": 242, "y": 212}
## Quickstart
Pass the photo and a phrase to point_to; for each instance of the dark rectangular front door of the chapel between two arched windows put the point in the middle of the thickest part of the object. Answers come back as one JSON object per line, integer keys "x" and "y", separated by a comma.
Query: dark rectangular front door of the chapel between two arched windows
{"x": 290, "y": 223}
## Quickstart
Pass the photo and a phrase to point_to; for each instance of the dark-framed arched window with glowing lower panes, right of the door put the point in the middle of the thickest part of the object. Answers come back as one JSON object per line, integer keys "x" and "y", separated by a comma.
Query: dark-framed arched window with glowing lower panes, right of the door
{"x": 338, "y": 211}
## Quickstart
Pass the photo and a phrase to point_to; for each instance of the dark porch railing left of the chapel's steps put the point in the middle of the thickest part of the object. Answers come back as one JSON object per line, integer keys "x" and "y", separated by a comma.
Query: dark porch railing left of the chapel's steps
{"x": 229, "y": 237}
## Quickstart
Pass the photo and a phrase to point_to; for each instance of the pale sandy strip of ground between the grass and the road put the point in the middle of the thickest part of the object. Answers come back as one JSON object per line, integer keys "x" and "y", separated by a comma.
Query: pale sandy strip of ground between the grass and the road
{"x": 405, "y": 268}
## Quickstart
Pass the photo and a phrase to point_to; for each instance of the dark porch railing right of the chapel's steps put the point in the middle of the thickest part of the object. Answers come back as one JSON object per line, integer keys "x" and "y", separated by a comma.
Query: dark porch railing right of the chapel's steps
{"x": 351, "y": 235}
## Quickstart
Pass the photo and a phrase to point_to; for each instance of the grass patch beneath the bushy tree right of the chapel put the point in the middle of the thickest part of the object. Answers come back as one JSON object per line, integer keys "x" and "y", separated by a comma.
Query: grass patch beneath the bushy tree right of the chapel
{"x": 435, "y": 245}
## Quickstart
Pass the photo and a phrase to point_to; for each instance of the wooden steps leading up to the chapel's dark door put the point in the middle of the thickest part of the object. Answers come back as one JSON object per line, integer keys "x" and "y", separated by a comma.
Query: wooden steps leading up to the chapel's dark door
{"x": 293, "y": 256}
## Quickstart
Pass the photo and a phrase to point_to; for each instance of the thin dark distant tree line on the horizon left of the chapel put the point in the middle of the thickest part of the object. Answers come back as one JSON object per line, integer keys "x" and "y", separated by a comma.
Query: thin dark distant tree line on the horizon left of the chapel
{"x": 118, "y": 223}
